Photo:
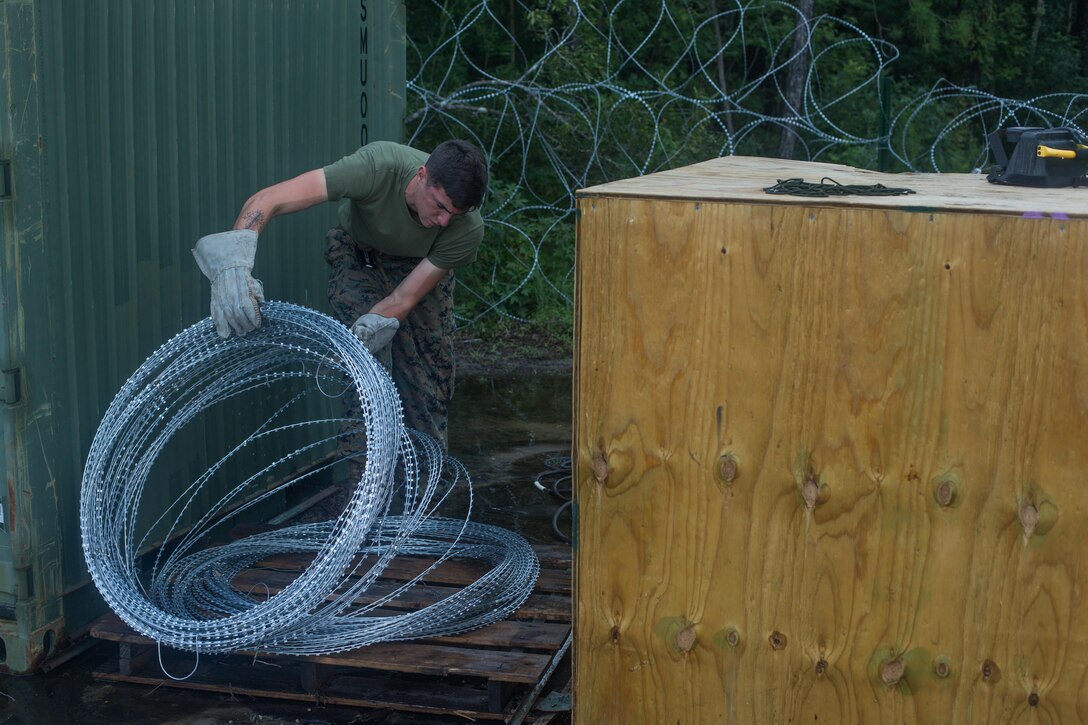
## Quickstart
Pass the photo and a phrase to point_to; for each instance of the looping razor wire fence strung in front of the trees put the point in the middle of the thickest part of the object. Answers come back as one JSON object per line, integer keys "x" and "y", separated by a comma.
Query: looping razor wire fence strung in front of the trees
{"x": 583, "y": 104}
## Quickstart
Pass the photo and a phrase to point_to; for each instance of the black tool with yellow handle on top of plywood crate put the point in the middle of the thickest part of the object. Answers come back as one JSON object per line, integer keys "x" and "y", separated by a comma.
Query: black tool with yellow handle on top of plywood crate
{"x": 1046, "y": 158}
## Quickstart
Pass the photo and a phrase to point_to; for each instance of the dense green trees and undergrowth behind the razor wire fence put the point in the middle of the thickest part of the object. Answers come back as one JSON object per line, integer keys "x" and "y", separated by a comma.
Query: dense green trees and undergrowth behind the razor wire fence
{"x": 565, "y": 95}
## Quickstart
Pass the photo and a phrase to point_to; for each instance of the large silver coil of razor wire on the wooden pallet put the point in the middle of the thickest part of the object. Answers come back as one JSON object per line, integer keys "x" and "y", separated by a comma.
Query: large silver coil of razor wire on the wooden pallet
{"x": 188, "y": 596}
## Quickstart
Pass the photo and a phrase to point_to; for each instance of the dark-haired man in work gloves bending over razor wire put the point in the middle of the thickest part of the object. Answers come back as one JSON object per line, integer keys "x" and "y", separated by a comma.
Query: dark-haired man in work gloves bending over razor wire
{"x": 409, "y": 220}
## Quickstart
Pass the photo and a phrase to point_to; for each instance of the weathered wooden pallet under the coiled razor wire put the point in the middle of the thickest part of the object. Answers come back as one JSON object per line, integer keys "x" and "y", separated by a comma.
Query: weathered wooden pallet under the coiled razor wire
{"x": 488, "y": 674}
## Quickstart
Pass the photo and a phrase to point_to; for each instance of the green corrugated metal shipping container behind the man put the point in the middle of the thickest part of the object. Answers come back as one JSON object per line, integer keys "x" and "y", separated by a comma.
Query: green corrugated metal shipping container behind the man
{"x": 132, "y": 129}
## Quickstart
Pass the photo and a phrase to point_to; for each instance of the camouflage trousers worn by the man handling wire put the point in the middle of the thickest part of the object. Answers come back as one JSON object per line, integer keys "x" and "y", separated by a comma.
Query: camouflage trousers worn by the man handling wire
{"x": 423, "y": 355}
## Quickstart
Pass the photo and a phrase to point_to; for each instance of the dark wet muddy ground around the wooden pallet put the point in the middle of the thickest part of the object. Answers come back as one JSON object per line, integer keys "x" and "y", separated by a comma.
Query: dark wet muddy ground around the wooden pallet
{"x": 512, "y": 434}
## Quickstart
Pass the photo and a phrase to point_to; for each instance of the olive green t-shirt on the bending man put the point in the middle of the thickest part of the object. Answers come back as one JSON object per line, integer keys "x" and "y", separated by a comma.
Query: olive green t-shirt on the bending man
{"x": 374, "y": 181}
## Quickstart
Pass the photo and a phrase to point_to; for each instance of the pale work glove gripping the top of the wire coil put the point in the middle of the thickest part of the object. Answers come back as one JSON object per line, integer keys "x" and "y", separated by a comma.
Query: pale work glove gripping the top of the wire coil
{"x": 228, "y": 260}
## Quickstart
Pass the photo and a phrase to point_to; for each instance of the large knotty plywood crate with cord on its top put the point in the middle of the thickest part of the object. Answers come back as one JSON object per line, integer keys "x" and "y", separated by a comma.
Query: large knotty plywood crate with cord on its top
{"x": 832, "y": 453}
